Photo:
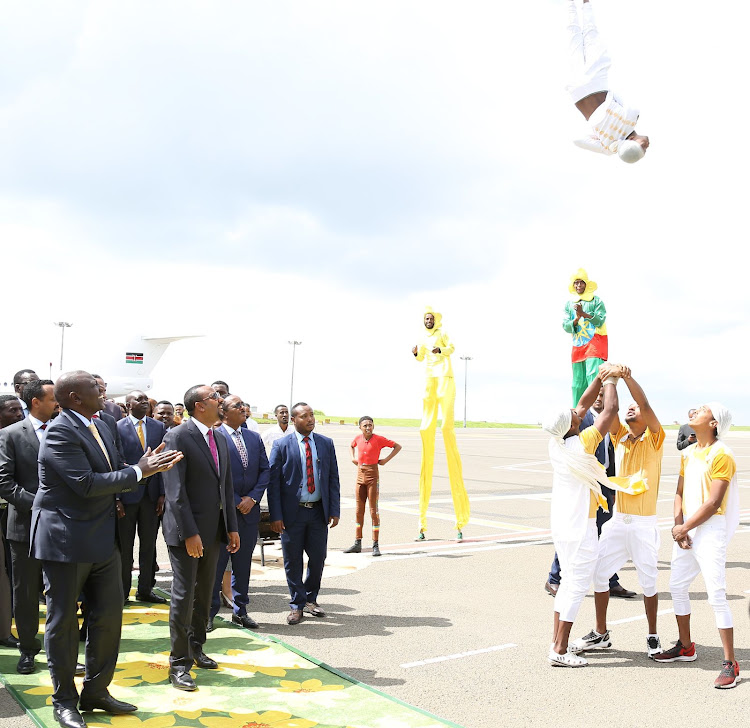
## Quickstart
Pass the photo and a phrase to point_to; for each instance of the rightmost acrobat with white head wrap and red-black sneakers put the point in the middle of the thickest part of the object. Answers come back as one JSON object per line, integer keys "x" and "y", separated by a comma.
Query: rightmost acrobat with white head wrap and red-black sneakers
{"x": 706, "y": 515}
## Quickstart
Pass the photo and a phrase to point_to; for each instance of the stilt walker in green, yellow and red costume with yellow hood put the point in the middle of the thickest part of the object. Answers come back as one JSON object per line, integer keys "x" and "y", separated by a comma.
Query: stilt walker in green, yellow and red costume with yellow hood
{"x": 585, "y": 319}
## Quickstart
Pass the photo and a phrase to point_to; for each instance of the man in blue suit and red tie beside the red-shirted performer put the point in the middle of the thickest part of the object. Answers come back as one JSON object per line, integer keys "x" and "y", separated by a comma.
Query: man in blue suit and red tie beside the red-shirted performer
{"x": 303, "y": 499}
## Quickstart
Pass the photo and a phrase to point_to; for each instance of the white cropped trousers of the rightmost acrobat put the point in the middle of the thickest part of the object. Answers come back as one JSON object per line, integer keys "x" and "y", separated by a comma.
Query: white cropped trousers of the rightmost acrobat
{"x": 708, "y": 556}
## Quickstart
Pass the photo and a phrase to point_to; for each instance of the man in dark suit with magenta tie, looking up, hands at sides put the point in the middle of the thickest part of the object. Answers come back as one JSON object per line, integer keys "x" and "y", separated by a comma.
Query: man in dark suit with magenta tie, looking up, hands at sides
{"x": 199, "y": 516}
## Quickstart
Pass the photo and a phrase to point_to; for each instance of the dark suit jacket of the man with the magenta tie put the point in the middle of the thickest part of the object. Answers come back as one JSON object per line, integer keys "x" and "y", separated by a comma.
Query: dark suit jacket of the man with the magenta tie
{"x": 196, "y": 495}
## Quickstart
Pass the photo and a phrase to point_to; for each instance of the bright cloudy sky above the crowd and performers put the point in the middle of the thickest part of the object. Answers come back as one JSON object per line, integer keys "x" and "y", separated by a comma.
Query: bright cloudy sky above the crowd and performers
{"x": 258, "y": 172}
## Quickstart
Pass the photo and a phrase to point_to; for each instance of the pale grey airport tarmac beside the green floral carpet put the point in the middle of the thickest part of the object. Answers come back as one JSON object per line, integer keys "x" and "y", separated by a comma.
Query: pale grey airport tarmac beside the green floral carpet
{"x": 463, "y": 629}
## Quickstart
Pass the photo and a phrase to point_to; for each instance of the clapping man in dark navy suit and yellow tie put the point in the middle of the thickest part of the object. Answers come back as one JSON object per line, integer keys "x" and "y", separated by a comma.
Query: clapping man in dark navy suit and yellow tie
{"x": 73, "y": 534}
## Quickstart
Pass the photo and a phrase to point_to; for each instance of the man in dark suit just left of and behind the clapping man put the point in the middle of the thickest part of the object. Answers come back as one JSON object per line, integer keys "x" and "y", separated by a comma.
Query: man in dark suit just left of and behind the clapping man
{"x": 19, "y": 482}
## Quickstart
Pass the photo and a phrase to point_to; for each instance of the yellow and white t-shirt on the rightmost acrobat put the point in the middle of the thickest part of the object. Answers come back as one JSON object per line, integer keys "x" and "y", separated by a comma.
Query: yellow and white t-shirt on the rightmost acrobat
{"x": 699, "y": 468}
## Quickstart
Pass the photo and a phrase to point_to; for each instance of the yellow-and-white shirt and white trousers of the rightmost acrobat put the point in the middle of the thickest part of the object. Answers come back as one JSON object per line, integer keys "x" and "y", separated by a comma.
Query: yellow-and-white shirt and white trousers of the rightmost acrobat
{"x": 708, "y": 555}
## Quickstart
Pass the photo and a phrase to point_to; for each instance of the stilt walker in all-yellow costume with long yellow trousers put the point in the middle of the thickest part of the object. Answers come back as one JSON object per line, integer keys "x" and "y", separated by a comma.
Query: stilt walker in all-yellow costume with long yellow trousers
{"x": 435, "y": 349}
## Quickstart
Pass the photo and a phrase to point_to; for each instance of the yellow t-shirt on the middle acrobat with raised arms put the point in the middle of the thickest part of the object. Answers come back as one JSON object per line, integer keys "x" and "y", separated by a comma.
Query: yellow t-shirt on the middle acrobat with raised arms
{"x": 642, "y": 458}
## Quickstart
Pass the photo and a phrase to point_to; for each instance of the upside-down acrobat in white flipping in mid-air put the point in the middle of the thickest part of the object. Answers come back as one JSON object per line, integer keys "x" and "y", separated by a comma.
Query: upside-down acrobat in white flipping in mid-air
{"x": 611, "y": 121}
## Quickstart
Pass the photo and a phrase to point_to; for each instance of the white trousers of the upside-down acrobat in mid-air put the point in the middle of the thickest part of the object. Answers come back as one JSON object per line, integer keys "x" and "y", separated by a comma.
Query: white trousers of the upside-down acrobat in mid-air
{"x": 589, "y": 58}
